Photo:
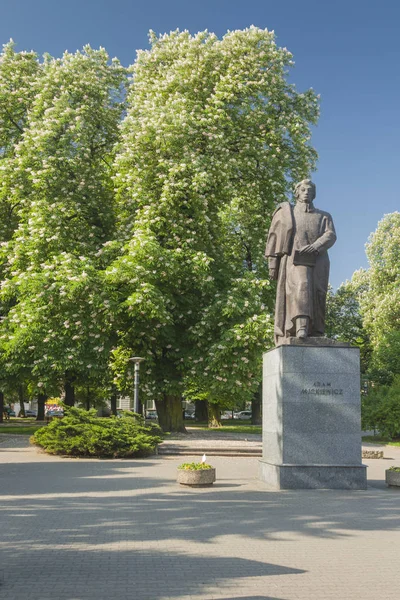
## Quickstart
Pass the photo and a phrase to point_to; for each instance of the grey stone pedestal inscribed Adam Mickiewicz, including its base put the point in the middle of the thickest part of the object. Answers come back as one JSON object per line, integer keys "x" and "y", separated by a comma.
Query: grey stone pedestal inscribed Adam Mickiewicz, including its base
{"x": 311, "y": 418}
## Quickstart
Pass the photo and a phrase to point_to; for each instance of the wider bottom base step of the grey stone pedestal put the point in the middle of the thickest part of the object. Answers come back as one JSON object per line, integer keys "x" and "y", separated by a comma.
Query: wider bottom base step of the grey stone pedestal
{"x": 294, "y": 477}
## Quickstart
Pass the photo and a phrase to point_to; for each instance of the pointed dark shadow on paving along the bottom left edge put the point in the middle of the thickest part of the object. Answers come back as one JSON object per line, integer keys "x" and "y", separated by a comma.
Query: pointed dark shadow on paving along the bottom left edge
{"x": 150, "y": 575}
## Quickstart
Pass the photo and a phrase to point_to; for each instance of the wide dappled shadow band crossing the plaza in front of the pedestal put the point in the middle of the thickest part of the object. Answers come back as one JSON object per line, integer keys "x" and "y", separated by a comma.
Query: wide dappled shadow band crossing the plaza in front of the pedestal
{"x": 142, "y": 497}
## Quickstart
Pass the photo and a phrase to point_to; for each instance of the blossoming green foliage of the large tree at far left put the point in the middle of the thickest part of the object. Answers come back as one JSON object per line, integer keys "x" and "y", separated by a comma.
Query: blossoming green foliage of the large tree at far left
{"x": 58, "y": 315}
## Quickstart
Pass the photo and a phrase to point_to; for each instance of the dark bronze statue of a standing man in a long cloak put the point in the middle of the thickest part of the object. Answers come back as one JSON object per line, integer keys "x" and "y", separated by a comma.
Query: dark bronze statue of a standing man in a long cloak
{"x": 297, "y": 245}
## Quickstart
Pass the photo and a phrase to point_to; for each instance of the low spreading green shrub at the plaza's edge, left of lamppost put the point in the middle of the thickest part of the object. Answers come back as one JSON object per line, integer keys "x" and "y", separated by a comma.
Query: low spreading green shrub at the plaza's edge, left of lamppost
{"x": 82, "y": 433}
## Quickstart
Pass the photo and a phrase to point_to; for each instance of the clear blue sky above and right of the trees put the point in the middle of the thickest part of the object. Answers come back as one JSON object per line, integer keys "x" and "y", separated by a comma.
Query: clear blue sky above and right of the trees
{"x": 348, "y": 51}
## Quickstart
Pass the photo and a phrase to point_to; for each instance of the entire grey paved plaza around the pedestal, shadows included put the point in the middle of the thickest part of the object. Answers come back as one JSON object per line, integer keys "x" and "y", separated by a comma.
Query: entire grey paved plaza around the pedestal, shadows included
{"x": 74, "y": 529}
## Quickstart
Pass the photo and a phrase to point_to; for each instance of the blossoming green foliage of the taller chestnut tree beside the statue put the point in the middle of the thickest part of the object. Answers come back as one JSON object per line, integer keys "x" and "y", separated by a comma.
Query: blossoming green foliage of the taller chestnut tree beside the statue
{"x": 214, "y": 136}
